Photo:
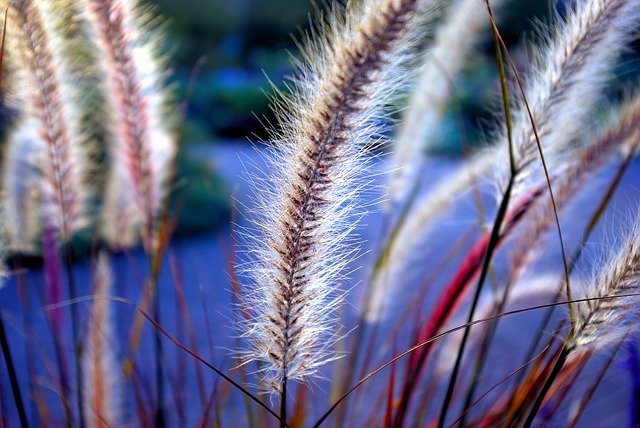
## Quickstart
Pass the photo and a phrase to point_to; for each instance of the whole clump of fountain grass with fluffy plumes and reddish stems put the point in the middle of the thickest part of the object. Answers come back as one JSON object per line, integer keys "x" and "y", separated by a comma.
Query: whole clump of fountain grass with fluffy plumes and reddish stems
{"x": 301, "y": 248}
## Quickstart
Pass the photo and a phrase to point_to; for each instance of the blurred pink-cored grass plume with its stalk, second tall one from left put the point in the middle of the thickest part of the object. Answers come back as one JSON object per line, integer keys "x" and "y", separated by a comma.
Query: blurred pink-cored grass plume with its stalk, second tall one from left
{"x": 144, "y": 146}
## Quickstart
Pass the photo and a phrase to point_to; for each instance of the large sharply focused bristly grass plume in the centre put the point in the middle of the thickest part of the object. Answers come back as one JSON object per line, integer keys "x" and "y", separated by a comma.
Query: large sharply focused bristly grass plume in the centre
{"x": 352, "y": 64}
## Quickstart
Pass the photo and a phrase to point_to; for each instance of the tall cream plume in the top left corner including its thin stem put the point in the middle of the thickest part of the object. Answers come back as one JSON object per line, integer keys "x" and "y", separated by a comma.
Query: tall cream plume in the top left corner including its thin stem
{"x": 45, "y": 96}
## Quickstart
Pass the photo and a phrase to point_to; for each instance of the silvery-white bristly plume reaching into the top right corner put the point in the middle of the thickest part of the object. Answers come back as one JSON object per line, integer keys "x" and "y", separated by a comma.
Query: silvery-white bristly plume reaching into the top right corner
{"x": 571, "y": 66}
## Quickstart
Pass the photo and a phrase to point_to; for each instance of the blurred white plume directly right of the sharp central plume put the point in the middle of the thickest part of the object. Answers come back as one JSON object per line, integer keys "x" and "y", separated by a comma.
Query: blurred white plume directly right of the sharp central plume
{"x": 454, "y": 41}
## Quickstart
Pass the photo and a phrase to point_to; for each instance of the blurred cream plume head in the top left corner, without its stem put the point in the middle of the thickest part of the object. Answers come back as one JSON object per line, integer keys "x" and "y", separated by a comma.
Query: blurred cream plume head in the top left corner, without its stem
{"x": 46, "y": 99}
